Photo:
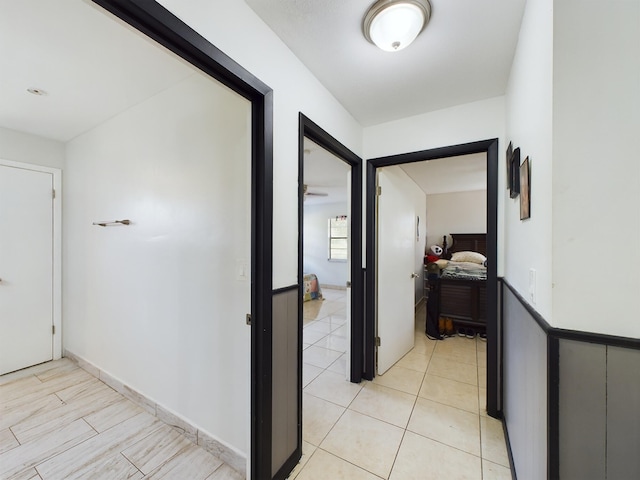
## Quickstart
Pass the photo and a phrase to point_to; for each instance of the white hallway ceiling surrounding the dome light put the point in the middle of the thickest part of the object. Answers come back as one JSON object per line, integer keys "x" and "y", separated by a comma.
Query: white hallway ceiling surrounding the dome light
{"x": 463, "y": 55}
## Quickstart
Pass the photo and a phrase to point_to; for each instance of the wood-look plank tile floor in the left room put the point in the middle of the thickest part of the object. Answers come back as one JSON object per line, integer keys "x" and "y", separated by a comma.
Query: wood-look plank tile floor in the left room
{"x": 59, "y": 422}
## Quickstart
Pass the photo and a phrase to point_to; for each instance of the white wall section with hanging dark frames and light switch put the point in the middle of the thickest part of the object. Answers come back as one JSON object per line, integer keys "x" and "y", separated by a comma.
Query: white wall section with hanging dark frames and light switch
{"x": 529, "y": 126}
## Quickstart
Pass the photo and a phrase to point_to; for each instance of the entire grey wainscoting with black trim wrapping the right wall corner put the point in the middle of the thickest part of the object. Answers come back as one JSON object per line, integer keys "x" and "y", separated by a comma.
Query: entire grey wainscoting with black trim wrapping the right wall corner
{"x": 571, "y": 398}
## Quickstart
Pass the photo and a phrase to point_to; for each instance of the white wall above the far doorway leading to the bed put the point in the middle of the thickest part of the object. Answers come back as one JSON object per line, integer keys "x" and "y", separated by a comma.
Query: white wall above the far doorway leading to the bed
{"x": 461, "y": 124}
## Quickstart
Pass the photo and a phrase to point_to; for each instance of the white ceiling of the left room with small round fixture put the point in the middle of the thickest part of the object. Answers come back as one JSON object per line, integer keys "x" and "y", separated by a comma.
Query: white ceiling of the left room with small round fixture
{"x": 91, "y": 65}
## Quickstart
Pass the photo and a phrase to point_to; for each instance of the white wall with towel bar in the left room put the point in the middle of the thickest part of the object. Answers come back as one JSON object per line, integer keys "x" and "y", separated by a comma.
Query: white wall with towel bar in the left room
{"x": 158, "y": 304}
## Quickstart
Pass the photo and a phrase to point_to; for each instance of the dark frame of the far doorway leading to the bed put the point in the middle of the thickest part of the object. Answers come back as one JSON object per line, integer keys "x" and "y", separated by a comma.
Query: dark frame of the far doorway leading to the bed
{"x": 490, "y": 147}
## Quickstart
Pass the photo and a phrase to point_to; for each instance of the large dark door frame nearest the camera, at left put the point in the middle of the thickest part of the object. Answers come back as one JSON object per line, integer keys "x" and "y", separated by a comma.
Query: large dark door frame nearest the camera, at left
{"x": 158, "y": 23}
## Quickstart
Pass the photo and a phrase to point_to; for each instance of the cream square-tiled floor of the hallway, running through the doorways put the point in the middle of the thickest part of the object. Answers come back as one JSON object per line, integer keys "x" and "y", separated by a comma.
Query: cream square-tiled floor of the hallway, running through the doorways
{"x": 423, "y": 419}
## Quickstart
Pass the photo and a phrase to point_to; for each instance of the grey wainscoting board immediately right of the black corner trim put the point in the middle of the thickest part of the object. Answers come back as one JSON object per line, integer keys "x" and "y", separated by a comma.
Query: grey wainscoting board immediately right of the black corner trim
{"x": 582, "y": 410}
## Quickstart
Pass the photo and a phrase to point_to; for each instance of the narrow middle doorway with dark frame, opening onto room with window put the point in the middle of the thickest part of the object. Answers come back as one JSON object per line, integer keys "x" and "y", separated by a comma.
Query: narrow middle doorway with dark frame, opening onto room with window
{"x": 330, "y": 247}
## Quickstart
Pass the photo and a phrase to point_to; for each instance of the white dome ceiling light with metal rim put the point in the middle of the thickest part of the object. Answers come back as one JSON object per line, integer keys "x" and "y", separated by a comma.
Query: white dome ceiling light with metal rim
{"x": 393, "y": 24}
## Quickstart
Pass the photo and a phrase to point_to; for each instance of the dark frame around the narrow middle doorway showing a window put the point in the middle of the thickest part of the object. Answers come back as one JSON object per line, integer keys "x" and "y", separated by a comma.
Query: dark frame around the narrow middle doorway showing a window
{"x": 315, "y": 133}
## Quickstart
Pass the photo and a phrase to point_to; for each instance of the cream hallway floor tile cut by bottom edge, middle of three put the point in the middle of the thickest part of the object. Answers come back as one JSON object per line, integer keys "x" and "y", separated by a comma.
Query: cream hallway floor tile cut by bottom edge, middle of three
{"x": 421, "y": 458}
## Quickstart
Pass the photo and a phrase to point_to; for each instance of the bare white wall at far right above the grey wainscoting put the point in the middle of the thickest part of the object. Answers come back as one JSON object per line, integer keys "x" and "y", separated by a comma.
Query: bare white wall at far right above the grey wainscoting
{"x": 596, "y": 172}
